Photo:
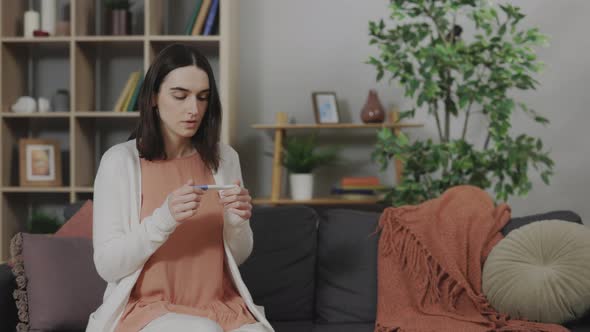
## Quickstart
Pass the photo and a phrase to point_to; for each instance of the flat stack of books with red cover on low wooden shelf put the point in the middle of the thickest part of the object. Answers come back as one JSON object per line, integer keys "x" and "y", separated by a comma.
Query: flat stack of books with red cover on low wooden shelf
{"x": 359, "y": 188}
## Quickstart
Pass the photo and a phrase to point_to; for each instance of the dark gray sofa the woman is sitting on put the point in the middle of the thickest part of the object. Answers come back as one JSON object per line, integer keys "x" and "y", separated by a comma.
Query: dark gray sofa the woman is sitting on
{"x": 313, "y": 269}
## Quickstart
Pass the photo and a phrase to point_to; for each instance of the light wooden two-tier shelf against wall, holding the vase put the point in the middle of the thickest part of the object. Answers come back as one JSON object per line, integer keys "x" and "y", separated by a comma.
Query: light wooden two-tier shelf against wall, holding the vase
{"x": 280, "y": 130}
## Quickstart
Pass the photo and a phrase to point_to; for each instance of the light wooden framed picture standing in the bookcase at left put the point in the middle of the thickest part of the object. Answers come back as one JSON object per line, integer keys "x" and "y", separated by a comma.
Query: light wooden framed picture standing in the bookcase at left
{"x": 39, "y": 162}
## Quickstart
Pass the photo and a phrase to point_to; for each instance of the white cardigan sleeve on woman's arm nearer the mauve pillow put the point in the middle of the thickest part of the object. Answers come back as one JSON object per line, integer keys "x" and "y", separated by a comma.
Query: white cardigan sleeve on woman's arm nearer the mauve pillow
{"x": 119, "y": 248}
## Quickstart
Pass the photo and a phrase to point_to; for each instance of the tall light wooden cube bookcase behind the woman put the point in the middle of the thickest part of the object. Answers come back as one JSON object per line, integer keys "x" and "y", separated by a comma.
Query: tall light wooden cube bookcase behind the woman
{"x": 93, "y": 67}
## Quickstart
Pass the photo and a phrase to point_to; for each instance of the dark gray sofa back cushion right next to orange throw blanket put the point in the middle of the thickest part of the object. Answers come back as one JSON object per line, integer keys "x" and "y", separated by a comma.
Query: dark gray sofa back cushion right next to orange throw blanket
{"x": 347, "y": 267}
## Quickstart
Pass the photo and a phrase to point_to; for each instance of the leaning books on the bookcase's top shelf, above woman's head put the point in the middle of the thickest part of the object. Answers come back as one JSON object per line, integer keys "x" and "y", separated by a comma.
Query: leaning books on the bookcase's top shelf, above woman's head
{"x": 204, "y": 20}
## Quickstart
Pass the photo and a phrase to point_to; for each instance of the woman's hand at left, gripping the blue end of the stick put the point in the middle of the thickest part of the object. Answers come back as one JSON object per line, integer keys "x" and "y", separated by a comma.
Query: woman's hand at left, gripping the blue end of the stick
{"x": 184, "y": 201}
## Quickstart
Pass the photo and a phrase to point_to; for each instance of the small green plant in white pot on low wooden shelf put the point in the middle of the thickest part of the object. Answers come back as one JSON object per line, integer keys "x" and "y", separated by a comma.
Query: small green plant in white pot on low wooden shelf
{"x": 300, "y": 157}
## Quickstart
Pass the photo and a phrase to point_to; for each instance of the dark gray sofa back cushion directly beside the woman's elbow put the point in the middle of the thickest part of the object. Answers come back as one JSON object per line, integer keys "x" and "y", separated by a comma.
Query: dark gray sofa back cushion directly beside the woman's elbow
{"x": 280, "y": 272}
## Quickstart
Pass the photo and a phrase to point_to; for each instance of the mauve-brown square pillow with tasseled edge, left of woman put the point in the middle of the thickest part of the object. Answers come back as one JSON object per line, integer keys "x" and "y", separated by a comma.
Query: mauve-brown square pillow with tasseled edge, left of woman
{"x": 62, "y": 285}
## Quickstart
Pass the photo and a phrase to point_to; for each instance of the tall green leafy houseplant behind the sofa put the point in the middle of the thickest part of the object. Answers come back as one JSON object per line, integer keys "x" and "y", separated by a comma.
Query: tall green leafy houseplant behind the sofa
{"x": 452, "y": 77}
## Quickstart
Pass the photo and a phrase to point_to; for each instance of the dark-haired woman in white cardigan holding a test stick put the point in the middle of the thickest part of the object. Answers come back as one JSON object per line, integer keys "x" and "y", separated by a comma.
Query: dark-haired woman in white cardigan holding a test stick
{"x": 168, "y": 250}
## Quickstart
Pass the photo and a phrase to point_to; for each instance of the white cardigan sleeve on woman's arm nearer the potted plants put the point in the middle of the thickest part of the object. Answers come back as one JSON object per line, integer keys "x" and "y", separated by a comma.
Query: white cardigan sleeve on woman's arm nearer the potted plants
{"x": 237, "y": 230}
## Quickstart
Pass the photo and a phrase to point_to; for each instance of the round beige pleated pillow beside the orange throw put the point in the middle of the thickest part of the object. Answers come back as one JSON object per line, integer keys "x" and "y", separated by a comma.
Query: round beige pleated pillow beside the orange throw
{"x": 541, "y": 272}
